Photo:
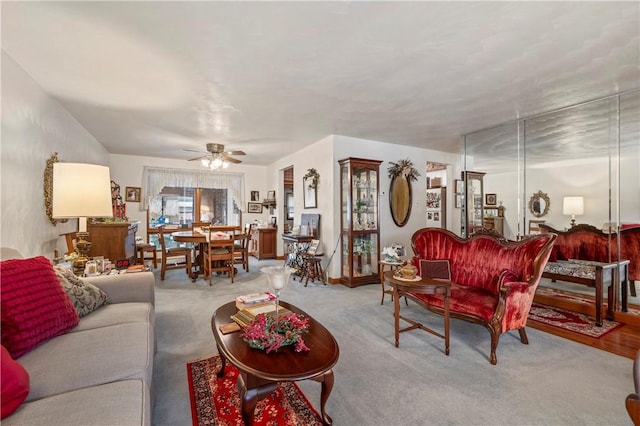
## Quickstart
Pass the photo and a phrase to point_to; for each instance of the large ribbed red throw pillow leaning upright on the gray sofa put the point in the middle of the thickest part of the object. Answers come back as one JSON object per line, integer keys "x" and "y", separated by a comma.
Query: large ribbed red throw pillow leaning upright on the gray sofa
{"x": 34, "y": 305}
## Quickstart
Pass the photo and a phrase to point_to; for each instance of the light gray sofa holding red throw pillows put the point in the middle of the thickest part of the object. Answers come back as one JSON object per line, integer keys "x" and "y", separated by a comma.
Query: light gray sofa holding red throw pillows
{"x": 99, "y": 373}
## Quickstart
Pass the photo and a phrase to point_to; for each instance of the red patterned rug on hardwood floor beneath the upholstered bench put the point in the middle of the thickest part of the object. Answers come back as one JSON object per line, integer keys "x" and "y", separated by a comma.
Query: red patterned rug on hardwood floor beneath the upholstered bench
{"x": 572, "y": 321}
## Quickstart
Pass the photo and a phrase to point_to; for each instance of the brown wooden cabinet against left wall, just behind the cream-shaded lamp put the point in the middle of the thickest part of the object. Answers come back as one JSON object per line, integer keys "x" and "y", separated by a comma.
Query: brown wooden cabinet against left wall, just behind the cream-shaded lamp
{"x": 114, "y": 241}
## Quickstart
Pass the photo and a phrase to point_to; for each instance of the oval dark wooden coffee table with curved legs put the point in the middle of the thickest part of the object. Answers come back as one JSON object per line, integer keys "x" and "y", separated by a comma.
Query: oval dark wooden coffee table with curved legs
{"x": 260, "y": 372}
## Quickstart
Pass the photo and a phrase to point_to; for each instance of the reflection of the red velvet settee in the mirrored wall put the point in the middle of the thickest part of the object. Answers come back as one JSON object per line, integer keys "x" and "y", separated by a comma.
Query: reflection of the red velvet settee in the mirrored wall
{"x": 587, "y": 242}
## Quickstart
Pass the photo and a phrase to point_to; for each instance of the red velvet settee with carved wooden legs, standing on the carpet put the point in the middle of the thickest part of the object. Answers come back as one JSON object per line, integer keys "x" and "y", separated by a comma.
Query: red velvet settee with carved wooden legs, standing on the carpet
{"x": 493, "y": 282}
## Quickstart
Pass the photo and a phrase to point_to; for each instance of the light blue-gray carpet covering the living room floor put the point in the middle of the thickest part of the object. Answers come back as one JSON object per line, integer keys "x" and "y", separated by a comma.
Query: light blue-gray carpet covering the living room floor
{"x": 551, "y": 381}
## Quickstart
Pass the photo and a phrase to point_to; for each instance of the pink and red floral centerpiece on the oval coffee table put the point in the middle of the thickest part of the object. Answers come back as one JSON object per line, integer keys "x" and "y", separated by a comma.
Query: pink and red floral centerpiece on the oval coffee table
{"x": 270, "y": 334}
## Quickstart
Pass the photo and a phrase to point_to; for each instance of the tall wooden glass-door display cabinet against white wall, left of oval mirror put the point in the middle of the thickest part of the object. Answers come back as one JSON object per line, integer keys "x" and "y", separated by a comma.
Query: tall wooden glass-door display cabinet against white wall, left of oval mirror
{"x": 359, "y": 218}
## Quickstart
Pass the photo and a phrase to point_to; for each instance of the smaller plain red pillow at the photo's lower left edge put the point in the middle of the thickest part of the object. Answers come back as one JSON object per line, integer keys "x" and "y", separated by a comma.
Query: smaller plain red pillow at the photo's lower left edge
{"x": 15, "y": 383}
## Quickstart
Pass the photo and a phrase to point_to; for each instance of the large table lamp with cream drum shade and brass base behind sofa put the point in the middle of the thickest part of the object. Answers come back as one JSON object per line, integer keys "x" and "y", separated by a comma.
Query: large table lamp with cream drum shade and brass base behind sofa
{"x": 81, "y": 191}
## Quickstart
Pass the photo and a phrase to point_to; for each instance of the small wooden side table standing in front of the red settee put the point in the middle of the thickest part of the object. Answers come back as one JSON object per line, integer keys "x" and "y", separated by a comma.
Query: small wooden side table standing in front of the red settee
{"x": 409, "y": 289}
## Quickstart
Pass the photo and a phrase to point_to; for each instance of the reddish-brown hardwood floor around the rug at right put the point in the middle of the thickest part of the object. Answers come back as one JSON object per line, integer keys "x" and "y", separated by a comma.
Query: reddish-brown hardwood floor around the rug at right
{"x": 623, "y": 341}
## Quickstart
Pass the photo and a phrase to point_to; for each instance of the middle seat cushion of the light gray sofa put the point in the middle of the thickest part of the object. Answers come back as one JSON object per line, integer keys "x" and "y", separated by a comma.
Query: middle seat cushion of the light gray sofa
{"x": 89, "y": 358}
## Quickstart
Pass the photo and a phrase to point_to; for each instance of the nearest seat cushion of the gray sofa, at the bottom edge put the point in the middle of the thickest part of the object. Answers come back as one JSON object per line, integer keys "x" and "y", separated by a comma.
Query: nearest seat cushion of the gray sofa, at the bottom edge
{"x": 125, "y": 402}
